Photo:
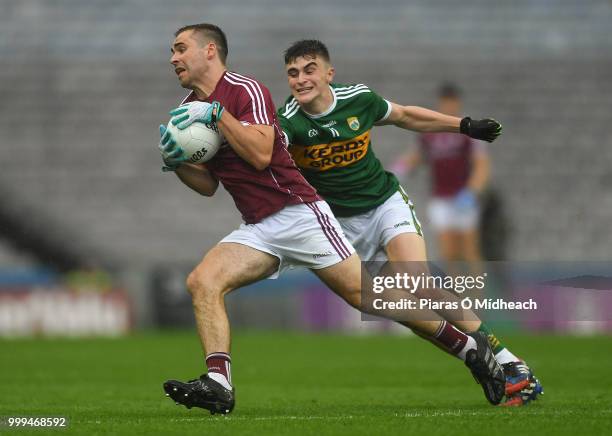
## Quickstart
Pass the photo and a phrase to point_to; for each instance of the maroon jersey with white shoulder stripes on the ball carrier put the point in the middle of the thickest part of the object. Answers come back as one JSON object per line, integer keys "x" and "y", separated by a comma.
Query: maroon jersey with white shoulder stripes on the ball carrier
{"x": 257, "y": 194}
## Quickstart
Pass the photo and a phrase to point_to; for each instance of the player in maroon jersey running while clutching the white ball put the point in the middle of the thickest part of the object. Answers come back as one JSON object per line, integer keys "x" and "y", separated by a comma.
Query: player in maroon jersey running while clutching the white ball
{"x": 286, "y": 223}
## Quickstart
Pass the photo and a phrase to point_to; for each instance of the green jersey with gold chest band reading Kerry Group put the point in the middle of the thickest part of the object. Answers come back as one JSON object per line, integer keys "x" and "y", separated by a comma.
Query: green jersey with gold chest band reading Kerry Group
{"x": 334, "y": 152}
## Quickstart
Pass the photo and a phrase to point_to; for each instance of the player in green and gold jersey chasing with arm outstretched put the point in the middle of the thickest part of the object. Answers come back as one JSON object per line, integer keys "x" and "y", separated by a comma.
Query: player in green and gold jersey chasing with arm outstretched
{"x": 328, "y": 128}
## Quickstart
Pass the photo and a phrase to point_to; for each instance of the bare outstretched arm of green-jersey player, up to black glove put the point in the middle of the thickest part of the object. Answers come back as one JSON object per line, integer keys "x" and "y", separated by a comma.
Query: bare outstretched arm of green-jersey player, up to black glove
{"x": 420, "y": 119}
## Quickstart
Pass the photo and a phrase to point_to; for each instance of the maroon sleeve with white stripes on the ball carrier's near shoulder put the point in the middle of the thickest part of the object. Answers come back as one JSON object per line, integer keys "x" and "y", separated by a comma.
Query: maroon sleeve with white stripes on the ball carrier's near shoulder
{"x": 255, "y": 104}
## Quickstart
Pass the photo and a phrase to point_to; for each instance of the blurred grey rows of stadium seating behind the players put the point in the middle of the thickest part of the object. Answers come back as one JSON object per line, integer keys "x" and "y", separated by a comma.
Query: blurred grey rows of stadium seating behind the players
{"x": 84, "y": 85}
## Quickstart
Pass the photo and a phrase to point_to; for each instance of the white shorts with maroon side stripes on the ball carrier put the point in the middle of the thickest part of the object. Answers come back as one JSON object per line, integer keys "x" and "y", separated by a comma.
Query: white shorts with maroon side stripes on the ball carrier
{"x": 305, "y": 235}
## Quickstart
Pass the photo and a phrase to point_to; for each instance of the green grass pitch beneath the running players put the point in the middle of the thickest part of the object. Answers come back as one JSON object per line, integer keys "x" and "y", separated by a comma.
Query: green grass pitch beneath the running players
{"x": 296, "y": 384}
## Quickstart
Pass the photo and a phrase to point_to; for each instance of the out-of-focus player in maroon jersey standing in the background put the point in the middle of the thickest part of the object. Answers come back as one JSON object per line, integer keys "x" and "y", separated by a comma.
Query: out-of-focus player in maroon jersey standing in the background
{"x": 460, "y": 170}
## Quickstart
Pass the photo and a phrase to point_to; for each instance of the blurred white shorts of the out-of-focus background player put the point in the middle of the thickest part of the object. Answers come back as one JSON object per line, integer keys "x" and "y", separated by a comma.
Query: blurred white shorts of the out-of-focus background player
{"x": 445, "y": 215}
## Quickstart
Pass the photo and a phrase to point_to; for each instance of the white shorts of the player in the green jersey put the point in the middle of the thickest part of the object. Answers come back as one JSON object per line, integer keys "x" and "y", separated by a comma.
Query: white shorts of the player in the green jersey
{"x": 370, "y": 232}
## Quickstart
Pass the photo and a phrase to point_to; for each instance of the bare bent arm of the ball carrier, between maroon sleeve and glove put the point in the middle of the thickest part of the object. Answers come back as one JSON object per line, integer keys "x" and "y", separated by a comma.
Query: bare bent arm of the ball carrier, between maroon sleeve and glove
{"x": 253, "y": 143}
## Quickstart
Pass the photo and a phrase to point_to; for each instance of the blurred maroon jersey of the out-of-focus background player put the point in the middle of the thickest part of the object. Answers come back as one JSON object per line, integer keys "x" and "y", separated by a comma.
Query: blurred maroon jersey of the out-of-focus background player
{"x": 450, "y": 158}
